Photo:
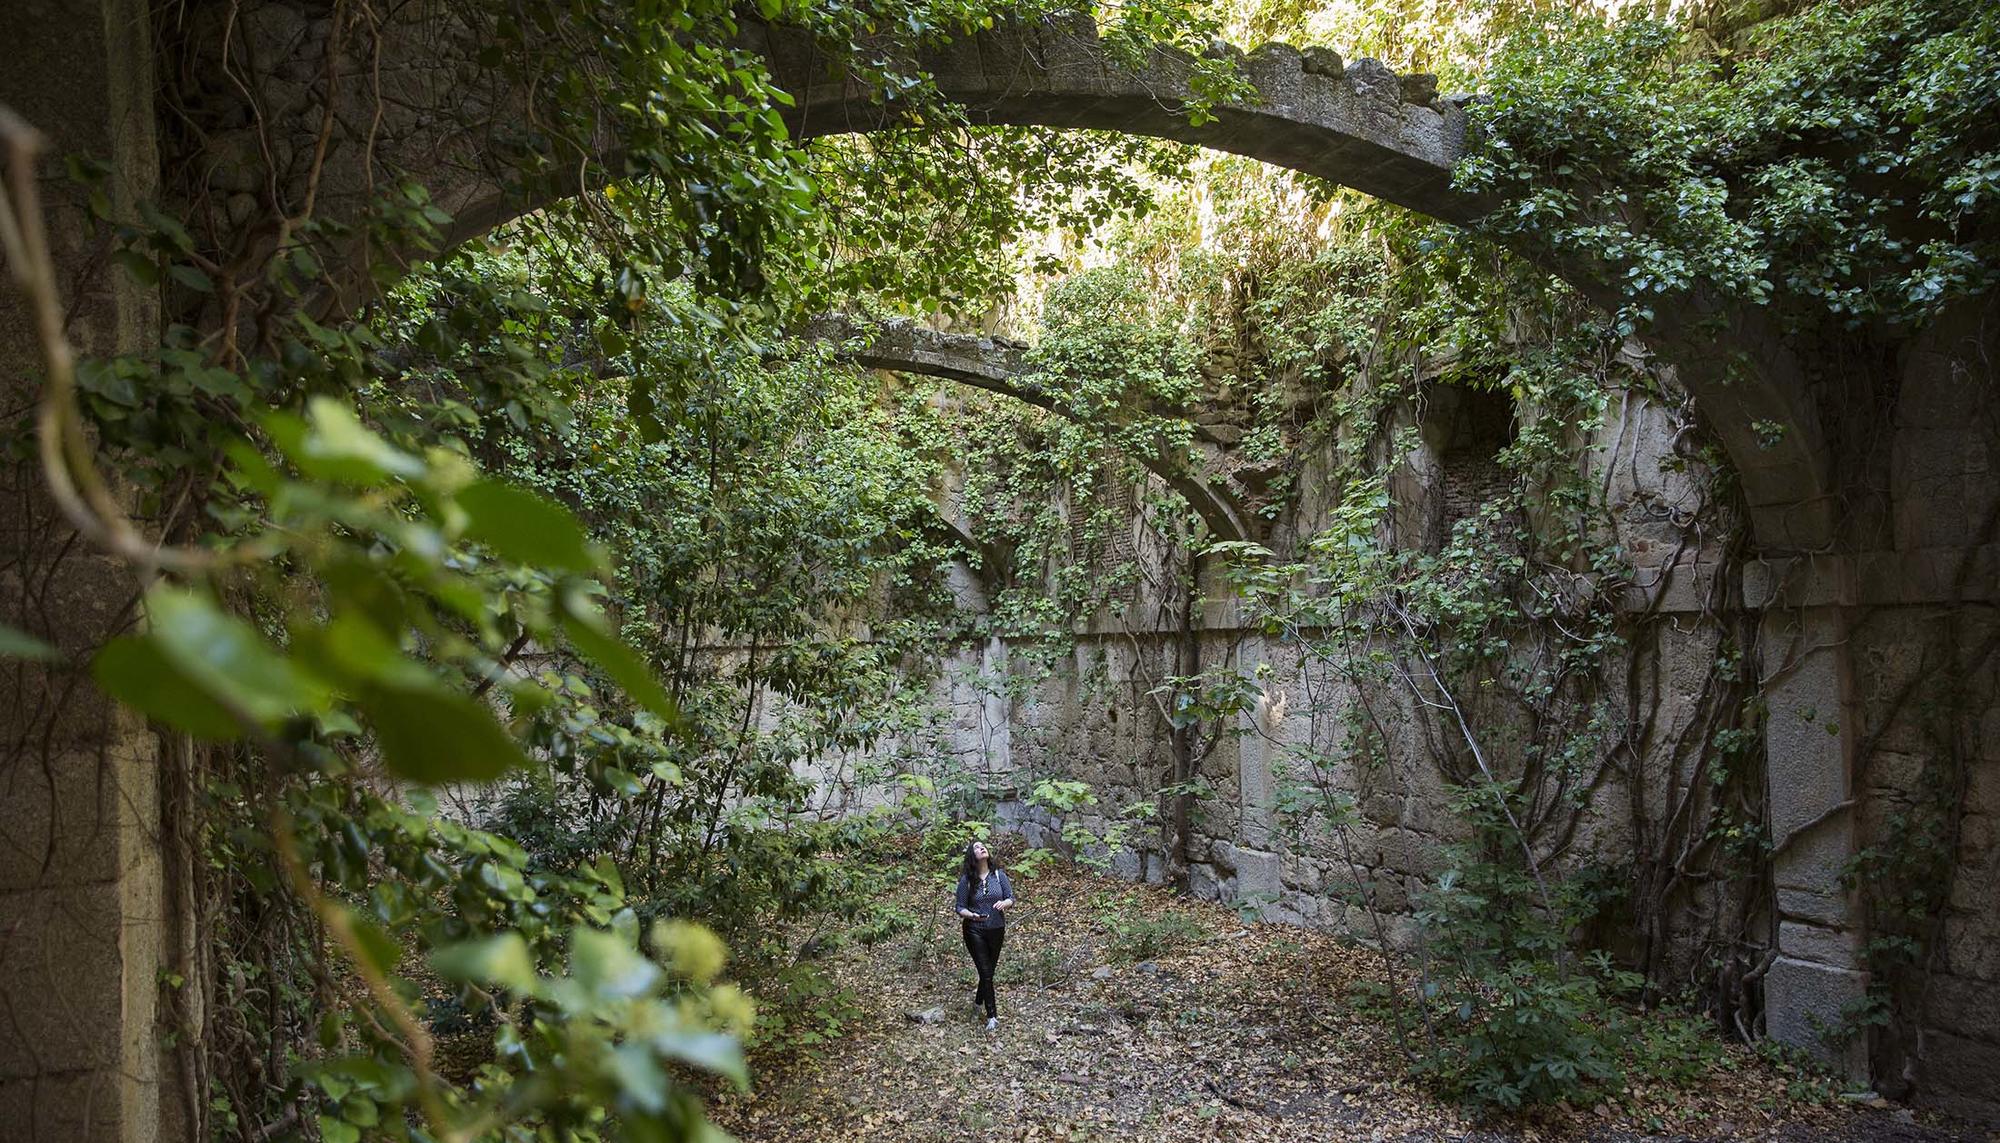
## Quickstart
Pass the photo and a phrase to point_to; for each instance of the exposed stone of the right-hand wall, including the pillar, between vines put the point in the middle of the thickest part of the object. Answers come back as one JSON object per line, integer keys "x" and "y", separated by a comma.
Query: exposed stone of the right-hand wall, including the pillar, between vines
{"x": 1917, "y": 680}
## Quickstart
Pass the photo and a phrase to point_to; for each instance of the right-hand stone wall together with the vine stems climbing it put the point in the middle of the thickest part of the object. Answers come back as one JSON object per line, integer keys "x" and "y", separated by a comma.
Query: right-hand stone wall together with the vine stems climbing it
{"x": 1649, "y": 784}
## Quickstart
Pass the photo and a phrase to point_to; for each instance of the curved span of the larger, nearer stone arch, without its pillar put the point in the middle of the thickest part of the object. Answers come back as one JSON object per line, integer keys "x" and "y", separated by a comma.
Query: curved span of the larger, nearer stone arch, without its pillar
{"x": 1349, "y": 123}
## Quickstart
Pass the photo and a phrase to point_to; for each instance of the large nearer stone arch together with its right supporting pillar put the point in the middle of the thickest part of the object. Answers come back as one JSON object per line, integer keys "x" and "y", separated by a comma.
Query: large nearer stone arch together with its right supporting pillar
{"x": 1391, "y": 137}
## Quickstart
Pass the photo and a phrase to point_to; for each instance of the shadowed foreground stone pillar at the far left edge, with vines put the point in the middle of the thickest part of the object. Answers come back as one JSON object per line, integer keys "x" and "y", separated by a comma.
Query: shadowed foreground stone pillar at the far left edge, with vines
{"x": 79, "y": 780}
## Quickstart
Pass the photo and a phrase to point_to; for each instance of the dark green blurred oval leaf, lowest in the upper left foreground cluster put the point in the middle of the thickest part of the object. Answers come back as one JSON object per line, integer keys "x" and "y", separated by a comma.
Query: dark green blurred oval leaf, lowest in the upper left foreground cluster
{"x": 431, "y": 734}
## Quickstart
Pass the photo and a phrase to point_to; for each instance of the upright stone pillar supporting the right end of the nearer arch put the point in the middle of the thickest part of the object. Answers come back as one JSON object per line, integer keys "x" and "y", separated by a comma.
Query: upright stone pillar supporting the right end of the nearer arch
{"x": 1811, "y": 740}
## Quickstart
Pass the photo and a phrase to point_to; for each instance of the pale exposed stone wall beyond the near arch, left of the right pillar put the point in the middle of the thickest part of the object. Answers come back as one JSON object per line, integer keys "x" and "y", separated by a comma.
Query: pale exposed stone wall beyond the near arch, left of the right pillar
{"x": 1095, "y": 718}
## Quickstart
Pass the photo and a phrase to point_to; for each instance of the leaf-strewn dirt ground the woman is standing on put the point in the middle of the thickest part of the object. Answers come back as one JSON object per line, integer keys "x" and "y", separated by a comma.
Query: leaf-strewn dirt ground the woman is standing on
{"x": 1221, "y": 1032}
